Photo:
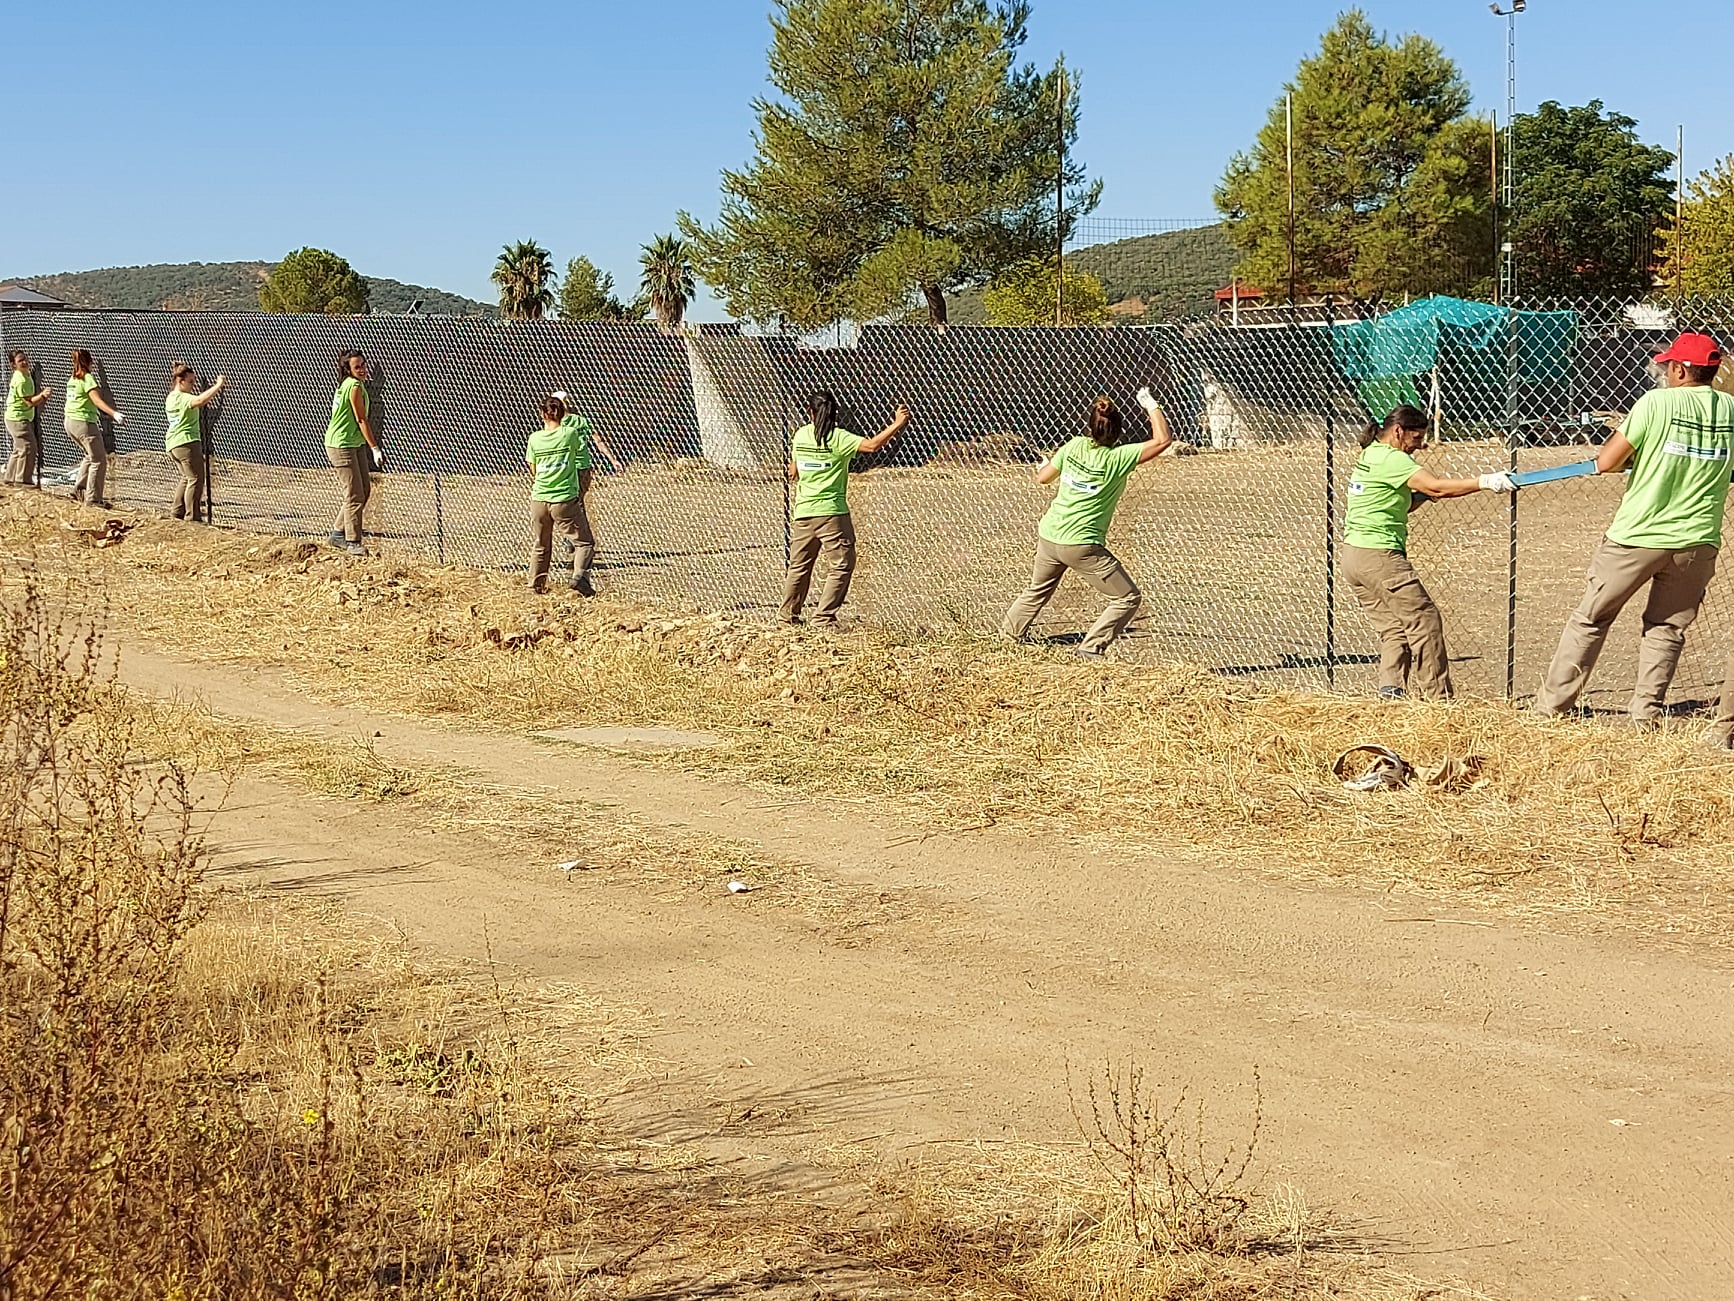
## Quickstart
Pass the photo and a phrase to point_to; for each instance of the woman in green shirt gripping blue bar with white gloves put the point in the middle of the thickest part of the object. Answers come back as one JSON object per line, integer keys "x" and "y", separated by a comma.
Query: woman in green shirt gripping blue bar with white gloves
{"x": 1386, "y": 485}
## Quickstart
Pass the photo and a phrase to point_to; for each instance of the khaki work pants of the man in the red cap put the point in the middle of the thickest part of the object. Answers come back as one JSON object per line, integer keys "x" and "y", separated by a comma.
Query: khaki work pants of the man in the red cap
{"x": 1678, "y": 582}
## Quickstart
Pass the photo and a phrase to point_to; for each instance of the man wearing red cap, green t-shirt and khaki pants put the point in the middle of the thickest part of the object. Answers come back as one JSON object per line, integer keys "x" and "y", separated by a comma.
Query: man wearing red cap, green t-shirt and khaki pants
{"x": 1679, "y": 443}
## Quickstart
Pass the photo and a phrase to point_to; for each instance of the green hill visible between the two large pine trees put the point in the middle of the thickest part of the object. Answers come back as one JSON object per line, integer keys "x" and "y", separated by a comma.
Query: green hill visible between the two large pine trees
{"x": 1175, "y": 273}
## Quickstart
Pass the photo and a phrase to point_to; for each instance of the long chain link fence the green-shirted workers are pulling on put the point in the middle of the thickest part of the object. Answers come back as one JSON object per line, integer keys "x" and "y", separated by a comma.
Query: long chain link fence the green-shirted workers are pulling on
{"x": 1234, "y": 539}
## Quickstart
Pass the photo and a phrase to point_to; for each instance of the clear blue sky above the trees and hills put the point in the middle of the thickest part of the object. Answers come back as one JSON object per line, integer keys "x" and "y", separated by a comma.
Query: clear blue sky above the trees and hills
{"x": 415, "y": 140}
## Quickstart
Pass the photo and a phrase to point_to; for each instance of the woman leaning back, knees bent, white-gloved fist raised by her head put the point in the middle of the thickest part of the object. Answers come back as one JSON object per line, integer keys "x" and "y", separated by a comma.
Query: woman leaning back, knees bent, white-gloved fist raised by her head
{"x": 1092, "y": 473}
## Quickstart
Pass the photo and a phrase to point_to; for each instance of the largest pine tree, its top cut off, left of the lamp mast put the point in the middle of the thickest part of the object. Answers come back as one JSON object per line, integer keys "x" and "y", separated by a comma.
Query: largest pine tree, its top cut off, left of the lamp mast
{"x": 908, "y": 157}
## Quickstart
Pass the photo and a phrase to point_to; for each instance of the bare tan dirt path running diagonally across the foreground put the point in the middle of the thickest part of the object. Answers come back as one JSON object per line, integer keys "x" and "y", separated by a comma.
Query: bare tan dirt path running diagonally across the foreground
{"x": 1546, "y": 1116}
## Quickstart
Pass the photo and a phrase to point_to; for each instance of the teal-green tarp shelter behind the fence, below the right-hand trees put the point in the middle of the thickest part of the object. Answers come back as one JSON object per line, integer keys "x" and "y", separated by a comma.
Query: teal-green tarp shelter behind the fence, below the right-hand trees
{"x": 1477, "y": 351}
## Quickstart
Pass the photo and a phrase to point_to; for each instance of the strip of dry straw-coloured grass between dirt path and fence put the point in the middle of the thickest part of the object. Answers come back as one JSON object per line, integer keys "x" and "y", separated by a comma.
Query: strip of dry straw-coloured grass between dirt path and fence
{"x": 1565, "y": 818}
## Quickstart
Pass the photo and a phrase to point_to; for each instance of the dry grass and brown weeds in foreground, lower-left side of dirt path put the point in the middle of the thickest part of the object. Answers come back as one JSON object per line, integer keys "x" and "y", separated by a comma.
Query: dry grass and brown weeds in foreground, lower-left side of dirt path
{"x": 231, "y": 1097}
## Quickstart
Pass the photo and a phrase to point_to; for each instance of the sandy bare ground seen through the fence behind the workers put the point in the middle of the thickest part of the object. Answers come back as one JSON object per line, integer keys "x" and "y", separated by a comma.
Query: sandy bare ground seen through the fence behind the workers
{"x": 1229, "y": 547}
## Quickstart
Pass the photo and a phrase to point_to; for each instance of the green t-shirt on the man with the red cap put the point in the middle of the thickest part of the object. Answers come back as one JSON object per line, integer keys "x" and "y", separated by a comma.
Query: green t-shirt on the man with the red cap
{"x": 1679, "y": 485}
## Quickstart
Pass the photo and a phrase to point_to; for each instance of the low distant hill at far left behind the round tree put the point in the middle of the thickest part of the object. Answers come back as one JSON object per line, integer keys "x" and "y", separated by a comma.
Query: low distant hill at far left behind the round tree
{"x": 223, "y": 287}
